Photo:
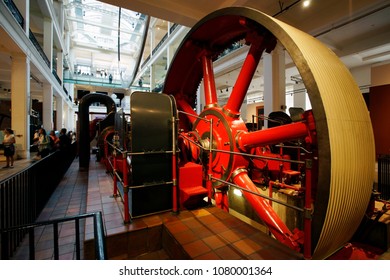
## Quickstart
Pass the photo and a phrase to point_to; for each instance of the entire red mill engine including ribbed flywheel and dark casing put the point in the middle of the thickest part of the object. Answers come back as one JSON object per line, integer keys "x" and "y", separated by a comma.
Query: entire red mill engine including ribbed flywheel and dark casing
{"x": 321, "y": 161}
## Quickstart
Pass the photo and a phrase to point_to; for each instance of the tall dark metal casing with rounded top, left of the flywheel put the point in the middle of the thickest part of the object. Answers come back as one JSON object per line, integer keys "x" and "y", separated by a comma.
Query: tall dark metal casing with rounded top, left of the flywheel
{"x": 151, "y": 136}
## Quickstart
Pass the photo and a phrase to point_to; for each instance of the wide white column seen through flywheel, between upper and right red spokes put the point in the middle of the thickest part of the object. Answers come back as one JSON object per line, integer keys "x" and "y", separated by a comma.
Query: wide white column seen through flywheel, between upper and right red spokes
{"x": 274, "y": 81}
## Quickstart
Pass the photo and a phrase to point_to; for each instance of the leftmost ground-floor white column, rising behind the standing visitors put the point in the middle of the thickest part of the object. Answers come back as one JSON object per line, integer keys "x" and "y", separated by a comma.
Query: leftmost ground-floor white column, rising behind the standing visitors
{"x": 20, "y": 105}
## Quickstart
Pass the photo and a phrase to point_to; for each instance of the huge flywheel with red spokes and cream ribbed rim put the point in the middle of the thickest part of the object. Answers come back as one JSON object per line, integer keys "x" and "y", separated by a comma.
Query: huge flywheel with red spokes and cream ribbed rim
{"x": 338, "y": 129}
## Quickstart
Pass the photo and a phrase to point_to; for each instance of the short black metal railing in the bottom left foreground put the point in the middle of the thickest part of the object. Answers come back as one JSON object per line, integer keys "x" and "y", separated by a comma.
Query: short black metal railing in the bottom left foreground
{"x": 99, "y": 236}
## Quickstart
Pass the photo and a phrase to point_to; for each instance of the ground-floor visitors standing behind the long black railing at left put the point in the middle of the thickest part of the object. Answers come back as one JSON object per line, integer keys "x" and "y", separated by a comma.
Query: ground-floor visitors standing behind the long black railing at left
{"x": 45, "y": 143}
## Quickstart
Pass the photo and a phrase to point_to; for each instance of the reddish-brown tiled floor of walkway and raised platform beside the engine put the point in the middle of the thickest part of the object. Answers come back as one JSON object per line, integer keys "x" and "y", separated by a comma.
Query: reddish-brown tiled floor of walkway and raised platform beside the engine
{"x": 207, "y": 233}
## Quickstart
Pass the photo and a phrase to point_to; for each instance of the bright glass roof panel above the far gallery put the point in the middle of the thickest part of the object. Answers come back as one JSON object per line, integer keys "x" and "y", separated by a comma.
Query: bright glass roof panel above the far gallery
{"x": 113, "y": 36}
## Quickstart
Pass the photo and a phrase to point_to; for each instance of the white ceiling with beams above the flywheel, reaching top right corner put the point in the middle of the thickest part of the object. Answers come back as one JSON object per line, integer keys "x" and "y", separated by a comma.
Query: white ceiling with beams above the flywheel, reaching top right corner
{"x": 358, "y": 31}
